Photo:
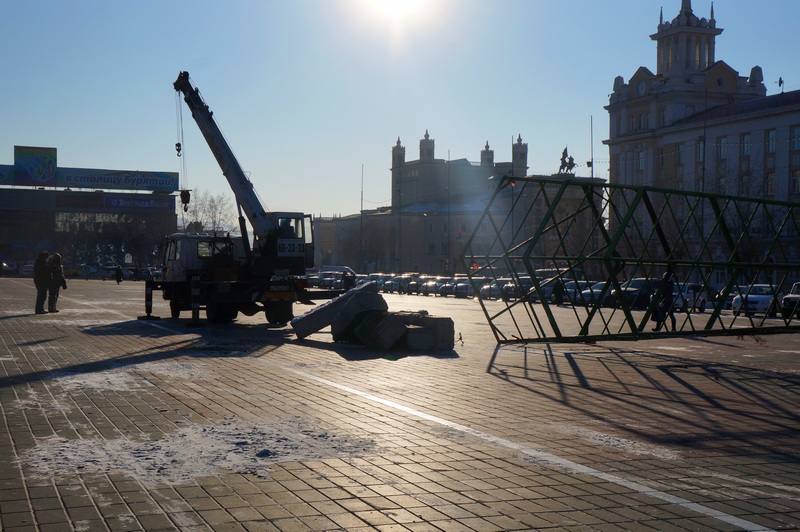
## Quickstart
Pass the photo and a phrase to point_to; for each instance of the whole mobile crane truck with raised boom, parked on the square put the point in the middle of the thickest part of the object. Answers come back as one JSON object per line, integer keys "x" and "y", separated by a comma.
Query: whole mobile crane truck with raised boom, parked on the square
{"x": 225, "y": 275}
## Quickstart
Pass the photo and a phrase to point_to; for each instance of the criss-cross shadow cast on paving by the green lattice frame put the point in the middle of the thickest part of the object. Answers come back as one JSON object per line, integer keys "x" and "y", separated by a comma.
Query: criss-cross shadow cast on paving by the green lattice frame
{"x": 662, "y": 398}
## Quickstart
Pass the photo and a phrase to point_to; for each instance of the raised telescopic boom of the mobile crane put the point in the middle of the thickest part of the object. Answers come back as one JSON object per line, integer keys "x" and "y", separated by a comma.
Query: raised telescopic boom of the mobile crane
{"x": 261, "y": 221}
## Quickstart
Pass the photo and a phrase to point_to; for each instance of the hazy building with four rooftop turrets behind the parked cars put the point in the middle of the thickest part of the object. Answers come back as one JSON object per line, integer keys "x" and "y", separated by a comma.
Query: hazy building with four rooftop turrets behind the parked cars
{"x": 436, "y": 204}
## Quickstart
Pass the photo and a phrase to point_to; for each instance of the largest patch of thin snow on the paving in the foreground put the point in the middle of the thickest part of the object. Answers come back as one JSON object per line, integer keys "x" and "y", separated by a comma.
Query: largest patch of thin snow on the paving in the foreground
{"x": 232, "y": 445}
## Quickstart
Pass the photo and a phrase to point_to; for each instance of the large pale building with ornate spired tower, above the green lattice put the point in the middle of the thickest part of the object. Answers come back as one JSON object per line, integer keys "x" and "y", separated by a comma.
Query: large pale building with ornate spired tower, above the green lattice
{"x": 697, "y": 124}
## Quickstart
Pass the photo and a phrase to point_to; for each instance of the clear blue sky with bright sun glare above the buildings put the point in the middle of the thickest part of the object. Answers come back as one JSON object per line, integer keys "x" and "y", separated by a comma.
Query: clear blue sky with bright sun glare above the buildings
{"x": 310, "y": 91}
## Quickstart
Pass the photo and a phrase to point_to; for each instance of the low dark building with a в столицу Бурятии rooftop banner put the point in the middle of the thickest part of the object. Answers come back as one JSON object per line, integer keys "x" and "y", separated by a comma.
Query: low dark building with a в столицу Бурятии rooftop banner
{"x": 81, "y": 213}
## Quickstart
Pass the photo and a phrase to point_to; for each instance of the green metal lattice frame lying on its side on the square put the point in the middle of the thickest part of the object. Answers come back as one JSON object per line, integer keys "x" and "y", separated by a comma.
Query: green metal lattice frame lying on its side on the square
{"x": 579, "y": 260}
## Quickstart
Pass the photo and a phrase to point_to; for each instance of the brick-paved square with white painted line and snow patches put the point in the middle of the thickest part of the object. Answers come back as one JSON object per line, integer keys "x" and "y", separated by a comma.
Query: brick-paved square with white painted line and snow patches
{"x": 114, "y": 423}
